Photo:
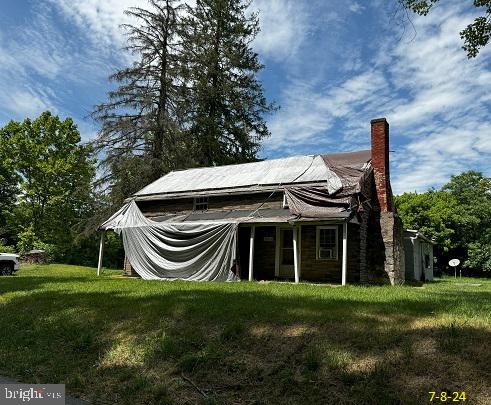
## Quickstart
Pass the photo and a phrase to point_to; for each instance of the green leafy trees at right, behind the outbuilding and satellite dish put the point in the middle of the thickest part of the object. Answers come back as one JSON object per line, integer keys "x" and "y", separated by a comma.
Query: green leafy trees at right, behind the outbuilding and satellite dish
{"x": 457, "y": 217}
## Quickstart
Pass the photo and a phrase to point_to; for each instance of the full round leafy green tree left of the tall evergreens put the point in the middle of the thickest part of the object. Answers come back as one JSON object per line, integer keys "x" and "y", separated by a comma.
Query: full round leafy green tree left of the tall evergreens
{"x": 55, "y": 172}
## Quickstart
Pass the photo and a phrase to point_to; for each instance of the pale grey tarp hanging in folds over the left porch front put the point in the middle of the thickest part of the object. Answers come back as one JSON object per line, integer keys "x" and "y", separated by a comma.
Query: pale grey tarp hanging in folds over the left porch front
{"x": 169, "y": 251}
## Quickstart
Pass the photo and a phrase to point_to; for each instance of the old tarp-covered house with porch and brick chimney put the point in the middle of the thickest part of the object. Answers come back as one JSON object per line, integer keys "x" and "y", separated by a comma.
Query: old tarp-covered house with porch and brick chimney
{"x": 321, "y": 218}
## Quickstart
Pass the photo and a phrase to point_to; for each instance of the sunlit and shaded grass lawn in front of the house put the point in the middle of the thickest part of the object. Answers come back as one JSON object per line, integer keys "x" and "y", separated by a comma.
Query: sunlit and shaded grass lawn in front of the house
{"x": 129, "y": 341}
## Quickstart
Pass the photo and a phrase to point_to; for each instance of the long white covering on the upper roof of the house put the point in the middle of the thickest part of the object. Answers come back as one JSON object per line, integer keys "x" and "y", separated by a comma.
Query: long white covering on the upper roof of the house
{"x": 290, "y": 170}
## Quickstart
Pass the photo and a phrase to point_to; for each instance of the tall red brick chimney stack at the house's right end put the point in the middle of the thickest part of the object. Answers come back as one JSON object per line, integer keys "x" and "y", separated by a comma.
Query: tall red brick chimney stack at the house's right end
{"x": 380, "y": 163}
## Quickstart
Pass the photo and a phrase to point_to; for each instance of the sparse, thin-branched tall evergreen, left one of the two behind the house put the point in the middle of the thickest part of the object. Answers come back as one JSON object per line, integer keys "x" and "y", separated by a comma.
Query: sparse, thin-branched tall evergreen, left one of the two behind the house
{"x": 143, "y": 116}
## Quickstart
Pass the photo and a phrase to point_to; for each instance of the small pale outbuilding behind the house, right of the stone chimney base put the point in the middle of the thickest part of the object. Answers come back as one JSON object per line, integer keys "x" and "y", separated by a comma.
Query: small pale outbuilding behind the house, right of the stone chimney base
{"x": 418, "y": 256}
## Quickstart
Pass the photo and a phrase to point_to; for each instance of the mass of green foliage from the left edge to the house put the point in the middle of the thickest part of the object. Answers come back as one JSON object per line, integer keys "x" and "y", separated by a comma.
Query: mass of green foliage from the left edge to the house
{"x": 46, "y": 193}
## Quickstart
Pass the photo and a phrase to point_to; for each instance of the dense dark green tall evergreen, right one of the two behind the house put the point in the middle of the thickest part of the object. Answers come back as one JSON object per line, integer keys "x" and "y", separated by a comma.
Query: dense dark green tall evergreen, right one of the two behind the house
{"x": 226, "y": 100}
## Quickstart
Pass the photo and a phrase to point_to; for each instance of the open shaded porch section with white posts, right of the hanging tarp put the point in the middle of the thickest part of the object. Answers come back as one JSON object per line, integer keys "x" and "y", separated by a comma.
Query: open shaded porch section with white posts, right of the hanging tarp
{"x": 324, "y": 251}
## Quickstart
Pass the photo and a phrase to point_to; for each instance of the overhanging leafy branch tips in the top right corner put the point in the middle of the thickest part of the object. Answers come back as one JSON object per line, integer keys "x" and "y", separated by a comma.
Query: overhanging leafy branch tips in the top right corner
{"x": 476, "y": 35}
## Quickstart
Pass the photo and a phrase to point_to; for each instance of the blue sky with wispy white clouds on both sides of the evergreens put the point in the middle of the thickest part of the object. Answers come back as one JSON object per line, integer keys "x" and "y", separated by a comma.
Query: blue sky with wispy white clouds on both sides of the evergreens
{"x": 330, "y": 65}
